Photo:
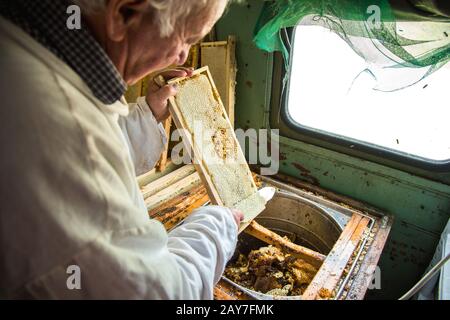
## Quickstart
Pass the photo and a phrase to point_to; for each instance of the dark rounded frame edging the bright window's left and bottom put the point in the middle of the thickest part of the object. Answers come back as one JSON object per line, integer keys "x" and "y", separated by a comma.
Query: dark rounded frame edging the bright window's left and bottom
{"x": 281, "y": 119}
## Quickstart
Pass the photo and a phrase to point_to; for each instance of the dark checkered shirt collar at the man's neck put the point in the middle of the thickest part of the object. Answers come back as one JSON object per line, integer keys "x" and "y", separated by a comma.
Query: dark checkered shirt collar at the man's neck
{"x": 46, "y": 22}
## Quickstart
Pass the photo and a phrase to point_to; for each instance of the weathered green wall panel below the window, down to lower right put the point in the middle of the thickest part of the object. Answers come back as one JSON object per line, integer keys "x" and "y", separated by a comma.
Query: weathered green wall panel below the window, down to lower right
{"x": 421, "y": 207}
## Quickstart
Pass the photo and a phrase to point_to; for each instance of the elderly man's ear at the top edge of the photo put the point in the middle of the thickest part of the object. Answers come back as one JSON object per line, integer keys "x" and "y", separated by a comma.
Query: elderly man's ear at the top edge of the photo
{"x": 122, "y": 15}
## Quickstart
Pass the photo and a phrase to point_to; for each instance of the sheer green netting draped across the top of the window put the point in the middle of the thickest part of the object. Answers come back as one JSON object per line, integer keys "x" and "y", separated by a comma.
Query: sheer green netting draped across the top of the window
{"x": 357, "y": 21}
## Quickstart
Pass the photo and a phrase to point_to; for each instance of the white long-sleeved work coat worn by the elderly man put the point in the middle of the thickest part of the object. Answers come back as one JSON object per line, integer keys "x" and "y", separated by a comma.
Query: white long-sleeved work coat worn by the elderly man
{"x": 69, "y": 196}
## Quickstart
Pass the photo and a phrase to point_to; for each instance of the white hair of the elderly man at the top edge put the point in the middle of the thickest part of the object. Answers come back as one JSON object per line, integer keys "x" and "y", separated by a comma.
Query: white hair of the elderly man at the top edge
{"x": 168, "y": 12}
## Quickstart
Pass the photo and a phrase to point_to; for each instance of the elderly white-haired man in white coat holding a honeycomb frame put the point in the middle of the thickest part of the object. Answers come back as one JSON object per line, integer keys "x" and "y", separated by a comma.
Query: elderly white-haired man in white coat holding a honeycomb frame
{"x": 71, "y": 148}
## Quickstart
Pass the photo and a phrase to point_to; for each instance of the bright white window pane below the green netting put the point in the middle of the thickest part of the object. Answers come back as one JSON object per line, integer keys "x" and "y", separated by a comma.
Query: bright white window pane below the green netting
{"x": 329, "y": 92}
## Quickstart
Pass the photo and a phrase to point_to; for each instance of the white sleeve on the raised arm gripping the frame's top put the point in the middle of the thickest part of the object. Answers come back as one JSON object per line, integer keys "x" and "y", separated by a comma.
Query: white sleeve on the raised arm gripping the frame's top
{"x": 145, "y": 137}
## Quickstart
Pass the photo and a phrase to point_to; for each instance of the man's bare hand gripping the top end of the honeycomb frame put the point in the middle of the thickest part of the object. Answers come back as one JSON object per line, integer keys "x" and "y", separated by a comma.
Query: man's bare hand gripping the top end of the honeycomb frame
{"x": 157, "y": 97}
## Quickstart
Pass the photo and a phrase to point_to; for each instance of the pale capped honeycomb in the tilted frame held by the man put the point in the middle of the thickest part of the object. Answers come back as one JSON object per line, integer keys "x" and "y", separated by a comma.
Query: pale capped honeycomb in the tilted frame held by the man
{"x": 212, "y": 133}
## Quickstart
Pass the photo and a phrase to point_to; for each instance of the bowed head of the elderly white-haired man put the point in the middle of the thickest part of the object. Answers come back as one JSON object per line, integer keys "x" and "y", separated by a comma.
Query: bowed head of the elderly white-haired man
{"x": 143, "y": 36}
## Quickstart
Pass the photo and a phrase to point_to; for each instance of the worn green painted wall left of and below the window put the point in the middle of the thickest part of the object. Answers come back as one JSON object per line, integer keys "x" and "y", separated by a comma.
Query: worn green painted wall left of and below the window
{"x": 421, "y": 207}
